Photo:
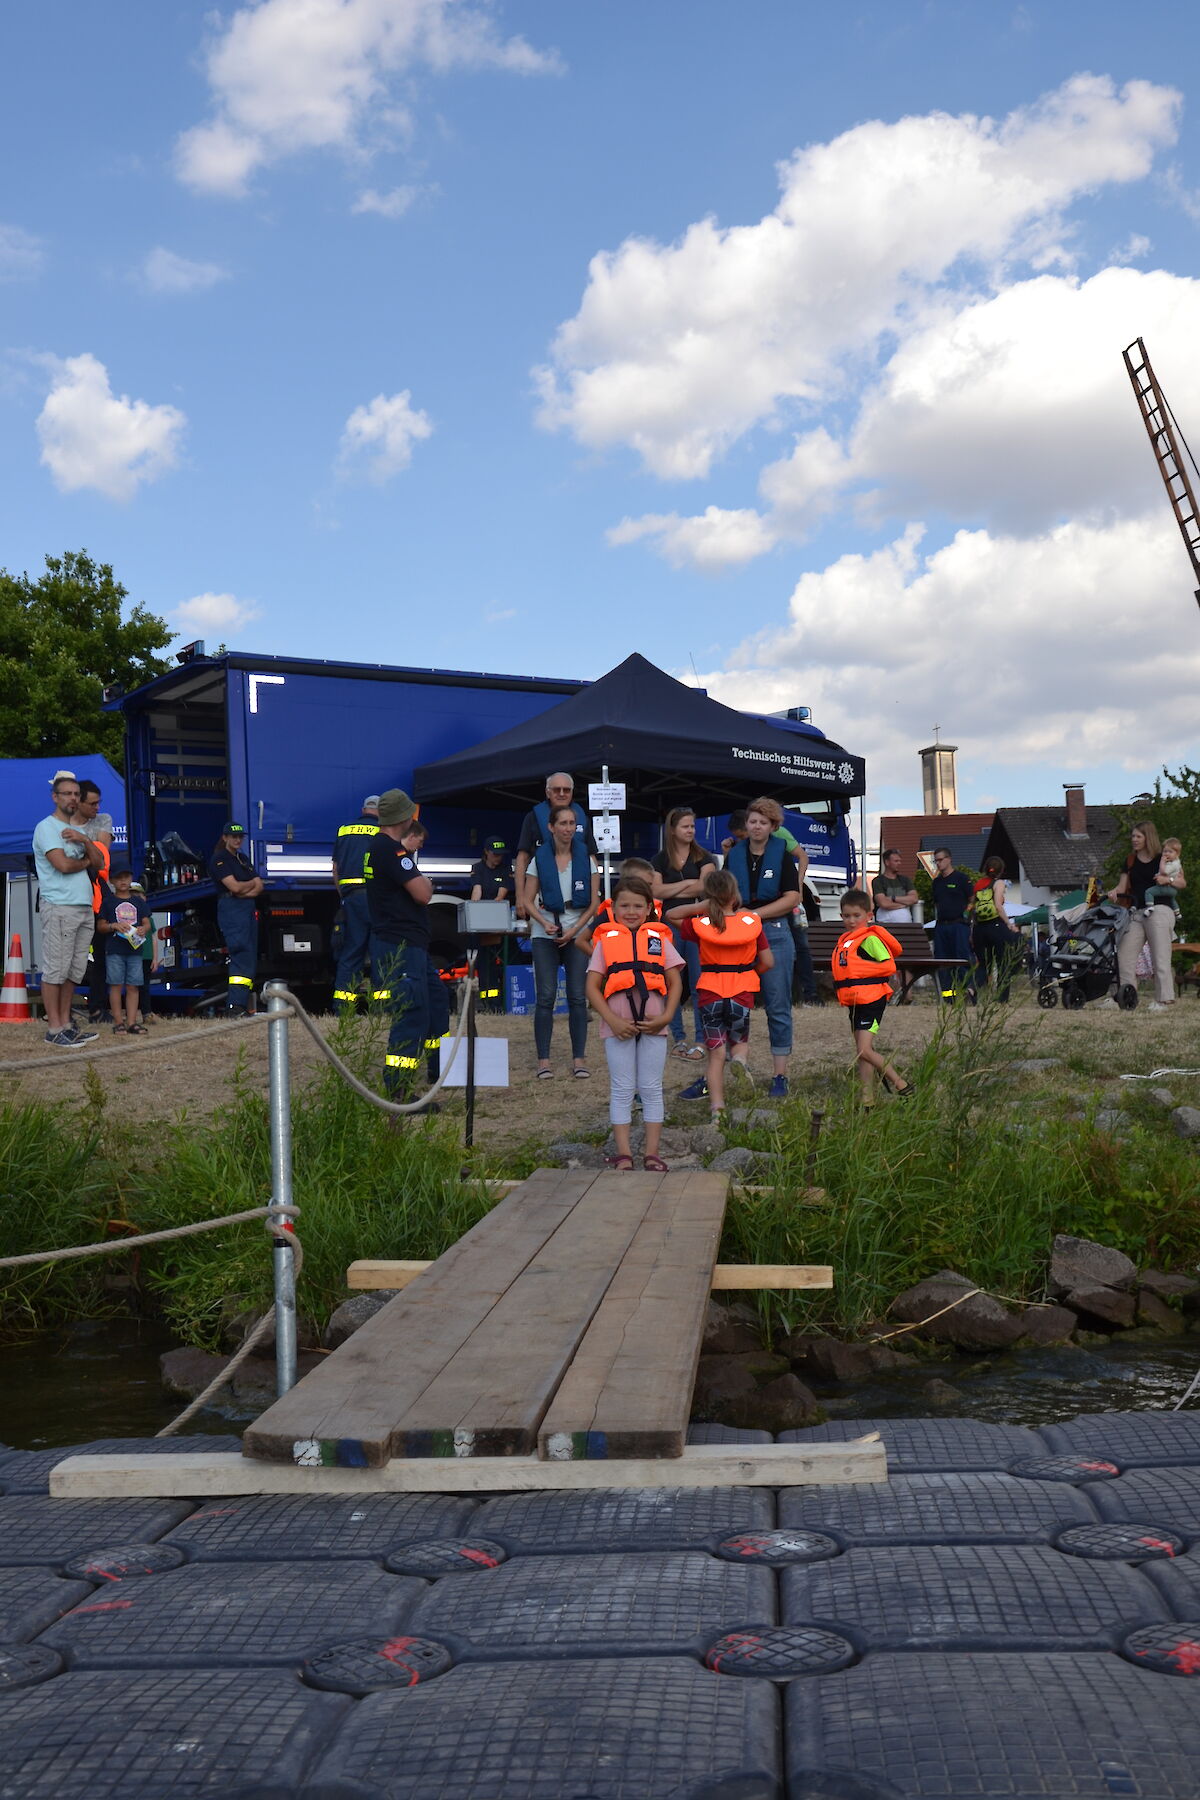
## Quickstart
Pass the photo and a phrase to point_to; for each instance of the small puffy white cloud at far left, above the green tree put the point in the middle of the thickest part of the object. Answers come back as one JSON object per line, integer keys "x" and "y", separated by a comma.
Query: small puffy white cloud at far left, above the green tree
{"x": 93, "y": 438}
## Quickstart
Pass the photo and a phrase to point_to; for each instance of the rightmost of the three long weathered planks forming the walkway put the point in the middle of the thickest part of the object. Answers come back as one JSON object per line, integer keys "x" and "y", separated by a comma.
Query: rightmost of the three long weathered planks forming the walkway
{"x": 629, "y": 1389}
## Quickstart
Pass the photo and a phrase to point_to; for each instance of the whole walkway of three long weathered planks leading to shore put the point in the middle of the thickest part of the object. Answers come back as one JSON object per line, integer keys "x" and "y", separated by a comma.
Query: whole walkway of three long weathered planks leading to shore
{"x": 571, "y": 1313}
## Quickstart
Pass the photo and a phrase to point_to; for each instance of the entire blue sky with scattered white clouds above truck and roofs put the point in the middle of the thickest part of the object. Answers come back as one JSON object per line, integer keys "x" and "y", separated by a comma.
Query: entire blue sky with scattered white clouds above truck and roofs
{"x": 782, "y": 341}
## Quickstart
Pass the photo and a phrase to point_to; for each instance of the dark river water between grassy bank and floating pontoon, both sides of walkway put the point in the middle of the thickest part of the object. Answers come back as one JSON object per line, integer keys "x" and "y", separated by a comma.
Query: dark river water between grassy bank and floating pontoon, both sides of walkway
{"x": 100, "y": 1380}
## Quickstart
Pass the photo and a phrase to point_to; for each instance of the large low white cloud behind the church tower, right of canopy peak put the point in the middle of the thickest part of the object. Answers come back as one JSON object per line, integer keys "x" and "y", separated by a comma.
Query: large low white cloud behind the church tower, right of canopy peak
{"x": 1055, "y": 651}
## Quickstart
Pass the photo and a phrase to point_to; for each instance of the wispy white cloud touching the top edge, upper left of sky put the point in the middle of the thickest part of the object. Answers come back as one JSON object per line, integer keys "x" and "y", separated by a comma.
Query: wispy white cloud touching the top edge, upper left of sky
{"x": 319, "y": 75}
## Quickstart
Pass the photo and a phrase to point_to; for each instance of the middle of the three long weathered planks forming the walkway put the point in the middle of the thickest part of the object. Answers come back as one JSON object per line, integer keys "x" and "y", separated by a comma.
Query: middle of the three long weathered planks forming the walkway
{"x": 492, "y": 1394}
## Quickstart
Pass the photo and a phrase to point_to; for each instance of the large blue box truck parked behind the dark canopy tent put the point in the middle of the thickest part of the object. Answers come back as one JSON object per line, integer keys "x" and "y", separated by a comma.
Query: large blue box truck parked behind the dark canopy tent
{"x": 289, "y": 748}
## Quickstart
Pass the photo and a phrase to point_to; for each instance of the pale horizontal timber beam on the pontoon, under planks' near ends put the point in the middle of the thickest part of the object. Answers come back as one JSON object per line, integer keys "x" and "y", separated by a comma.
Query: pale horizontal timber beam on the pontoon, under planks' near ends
{"x": 701, "y": 1466}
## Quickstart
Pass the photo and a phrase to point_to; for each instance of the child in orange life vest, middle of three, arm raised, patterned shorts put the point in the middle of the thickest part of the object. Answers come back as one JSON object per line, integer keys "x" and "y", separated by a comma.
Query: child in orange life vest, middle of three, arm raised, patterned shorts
{"x": 733, "y": 955}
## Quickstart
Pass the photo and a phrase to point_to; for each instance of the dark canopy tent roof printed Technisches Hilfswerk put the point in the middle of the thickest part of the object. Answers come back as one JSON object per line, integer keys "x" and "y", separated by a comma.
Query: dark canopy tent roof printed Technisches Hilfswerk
{"x": 665, "y": 741}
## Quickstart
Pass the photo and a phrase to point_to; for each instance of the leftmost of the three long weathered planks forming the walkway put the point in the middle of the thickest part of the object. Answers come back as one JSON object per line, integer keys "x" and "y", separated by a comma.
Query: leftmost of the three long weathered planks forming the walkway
{"x": 346, "y": 1410}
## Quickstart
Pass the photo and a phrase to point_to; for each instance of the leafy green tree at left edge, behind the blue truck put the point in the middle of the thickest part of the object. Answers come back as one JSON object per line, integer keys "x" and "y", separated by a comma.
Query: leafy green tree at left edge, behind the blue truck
{"x": 62, "y": 642}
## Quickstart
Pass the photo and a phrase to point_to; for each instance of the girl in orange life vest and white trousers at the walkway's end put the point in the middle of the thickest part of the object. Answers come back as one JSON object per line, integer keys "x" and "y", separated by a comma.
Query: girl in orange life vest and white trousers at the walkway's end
{"x": 634, "y": 985}
